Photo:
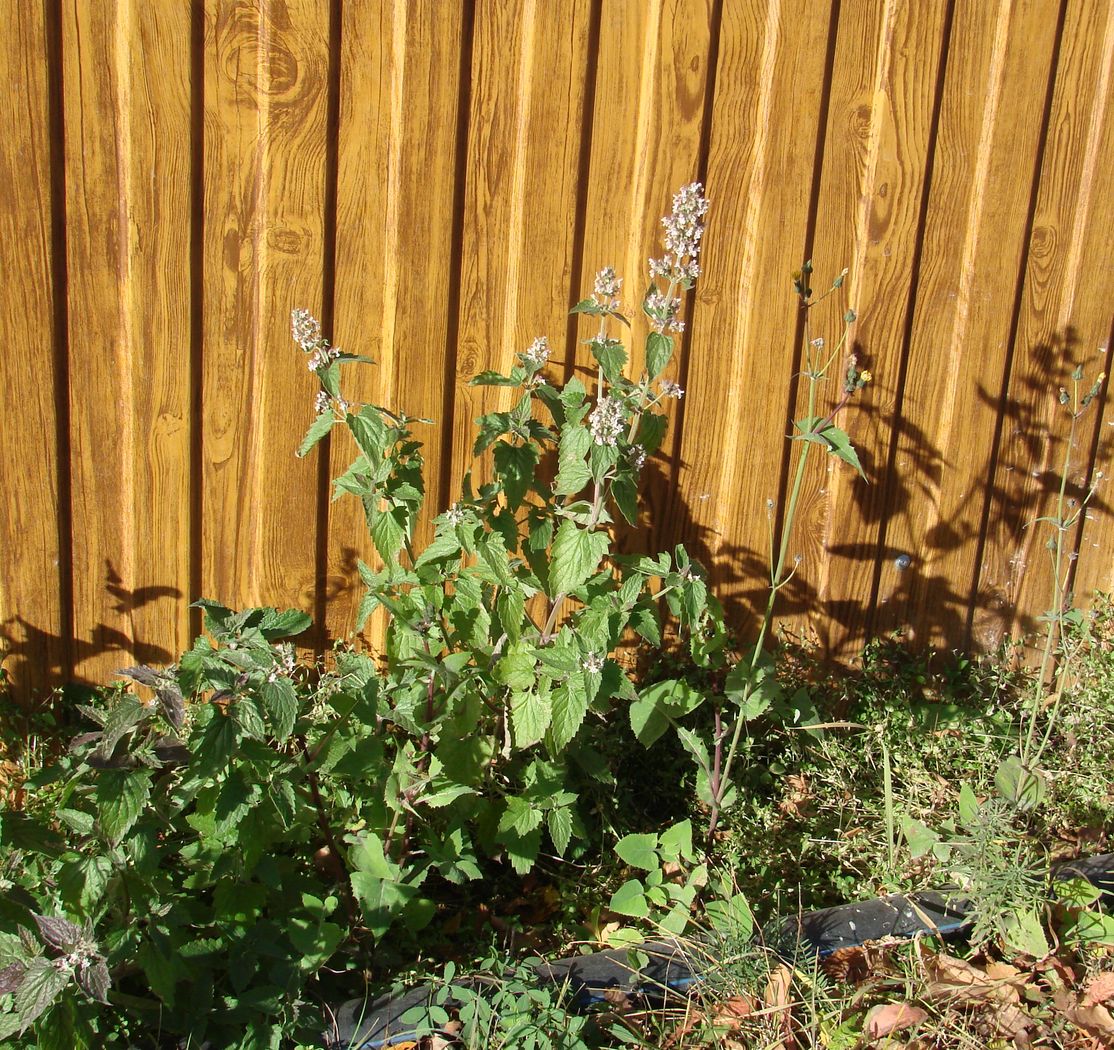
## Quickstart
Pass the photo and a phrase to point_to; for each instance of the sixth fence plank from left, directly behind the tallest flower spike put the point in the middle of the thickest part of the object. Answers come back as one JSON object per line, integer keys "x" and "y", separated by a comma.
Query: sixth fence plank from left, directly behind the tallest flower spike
{"x": 652, "y": 73}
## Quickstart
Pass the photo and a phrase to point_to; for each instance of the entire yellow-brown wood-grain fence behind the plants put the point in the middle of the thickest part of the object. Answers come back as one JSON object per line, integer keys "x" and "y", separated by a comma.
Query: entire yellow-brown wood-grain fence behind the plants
{"x": 439, "y": 181}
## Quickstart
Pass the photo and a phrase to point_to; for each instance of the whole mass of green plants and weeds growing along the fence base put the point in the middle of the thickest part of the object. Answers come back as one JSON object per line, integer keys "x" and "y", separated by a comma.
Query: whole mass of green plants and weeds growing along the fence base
{"x": 237, "y": 842}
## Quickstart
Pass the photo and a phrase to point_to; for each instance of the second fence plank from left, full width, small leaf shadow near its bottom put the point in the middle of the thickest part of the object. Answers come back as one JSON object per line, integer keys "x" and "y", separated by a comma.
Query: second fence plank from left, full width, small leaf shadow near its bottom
{"x": 129, "y": 207}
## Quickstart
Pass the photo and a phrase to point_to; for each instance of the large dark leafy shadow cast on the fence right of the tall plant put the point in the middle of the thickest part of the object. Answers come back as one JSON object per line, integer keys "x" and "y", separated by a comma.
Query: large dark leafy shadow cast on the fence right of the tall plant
{"x": 918, "y": 592}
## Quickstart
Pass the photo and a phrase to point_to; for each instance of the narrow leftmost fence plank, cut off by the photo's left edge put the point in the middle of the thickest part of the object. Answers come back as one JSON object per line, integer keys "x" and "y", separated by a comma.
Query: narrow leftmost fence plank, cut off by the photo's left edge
{"x": 32, "y": 617}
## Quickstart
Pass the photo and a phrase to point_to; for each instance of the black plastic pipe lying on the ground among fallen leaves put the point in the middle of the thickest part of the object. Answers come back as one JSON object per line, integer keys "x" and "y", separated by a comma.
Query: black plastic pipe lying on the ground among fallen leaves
{"x": 671, "y": 970}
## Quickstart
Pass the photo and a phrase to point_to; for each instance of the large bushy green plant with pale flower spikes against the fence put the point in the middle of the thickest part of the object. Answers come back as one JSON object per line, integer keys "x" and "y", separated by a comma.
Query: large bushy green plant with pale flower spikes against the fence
{"x": 238, "y": 821}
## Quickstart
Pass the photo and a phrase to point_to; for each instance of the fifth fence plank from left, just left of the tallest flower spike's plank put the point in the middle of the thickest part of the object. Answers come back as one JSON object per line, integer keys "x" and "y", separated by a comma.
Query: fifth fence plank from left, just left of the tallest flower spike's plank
{"x": 524, "y": 148}
